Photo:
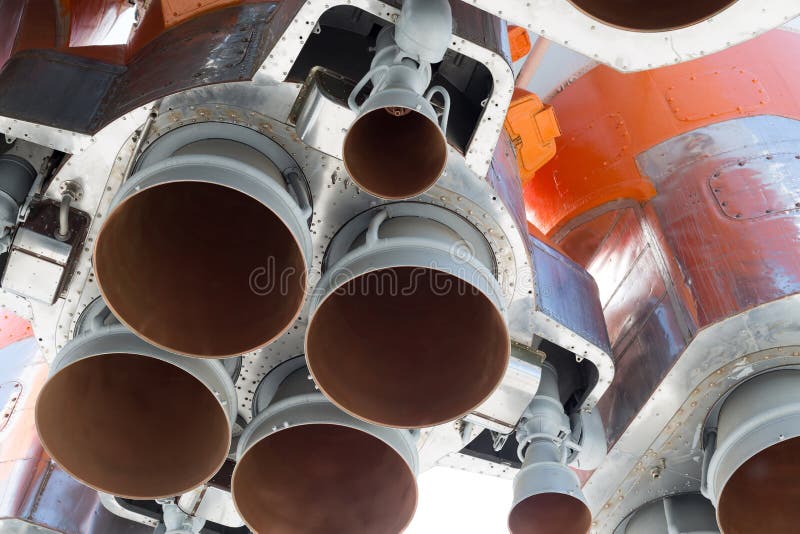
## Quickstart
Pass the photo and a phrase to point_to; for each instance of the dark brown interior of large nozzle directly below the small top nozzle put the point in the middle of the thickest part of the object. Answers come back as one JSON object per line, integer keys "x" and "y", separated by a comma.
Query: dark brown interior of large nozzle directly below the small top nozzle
{"x": 407, "y": 347}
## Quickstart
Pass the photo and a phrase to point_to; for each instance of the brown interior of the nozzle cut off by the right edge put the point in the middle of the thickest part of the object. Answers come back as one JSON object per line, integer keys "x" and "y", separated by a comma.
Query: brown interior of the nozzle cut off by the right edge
{"x": 762, "y": 495}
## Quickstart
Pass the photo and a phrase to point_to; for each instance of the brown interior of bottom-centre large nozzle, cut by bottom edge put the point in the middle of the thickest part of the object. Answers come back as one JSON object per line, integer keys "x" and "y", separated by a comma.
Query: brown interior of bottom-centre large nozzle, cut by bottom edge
{"x": 324, "y": 478}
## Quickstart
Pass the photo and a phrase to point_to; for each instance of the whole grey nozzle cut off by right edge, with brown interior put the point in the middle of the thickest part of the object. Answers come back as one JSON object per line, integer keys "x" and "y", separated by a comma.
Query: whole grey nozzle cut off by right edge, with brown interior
{"x": 754, "y": 471}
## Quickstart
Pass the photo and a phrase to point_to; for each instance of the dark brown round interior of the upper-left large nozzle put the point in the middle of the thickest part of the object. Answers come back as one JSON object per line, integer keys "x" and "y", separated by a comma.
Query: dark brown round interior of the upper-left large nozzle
{"x": 200, "y": 269}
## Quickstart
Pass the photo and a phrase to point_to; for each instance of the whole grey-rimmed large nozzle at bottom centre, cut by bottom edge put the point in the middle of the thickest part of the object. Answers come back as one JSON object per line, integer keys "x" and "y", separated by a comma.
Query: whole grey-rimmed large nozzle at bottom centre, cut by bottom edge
{"x": 306, "y": 466}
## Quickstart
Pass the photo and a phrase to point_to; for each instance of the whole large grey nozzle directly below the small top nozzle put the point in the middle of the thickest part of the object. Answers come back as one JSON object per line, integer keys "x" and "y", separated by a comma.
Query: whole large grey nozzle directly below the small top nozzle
{"x": 404, "y": 330}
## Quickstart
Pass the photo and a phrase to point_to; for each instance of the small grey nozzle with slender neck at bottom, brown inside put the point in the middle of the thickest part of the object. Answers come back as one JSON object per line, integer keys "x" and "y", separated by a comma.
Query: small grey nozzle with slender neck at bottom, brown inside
{"x": 547, "y": 494}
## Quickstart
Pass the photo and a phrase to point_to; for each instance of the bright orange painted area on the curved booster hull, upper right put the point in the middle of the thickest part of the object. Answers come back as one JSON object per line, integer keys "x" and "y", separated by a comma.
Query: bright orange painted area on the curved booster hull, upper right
{"x": 607, "y": 118}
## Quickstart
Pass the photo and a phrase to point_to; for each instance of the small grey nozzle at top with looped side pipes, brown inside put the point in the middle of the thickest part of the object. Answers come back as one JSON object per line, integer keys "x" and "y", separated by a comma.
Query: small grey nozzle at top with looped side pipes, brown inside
{"x": 396, "y": 148}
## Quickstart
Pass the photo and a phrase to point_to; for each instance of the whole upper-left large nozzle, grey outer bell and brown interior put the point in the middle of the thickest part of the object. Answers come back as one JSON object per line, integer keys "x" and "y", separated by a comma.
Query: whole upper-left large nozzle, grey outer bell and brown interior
{"x": 205, "y": 250}
